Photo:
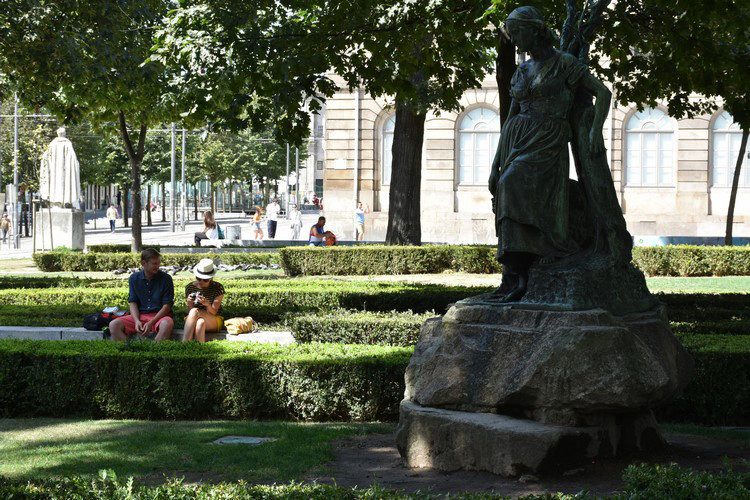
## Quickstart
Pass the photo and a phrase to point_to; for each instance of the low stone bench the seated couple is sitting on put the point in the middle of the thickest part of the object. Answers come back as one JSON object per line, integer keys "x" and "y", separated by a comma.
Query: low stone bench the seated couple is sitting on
{"x": 70, "y": 333}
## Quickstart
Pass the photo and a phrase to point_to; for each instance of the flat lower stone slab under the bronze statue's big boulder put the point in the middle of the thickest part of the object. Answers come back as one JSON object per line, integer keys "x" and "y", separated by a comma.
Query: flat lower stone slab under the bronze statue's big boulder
{"x": 451, "y": 440}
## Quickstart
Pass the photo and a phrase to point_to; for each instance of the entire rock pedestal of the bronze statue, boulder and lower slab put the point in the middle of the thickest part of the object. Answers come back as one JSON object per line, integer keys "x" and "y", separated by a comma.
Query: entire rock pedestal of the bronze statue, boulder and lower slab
{"x": 512, "y": 390}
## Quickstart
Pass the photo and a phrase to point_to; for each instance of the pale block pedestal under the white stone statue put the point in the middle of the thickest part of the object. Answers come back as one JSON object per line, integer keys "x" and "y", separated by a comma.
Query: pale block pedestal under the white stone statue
{"x": 60, "y": 227}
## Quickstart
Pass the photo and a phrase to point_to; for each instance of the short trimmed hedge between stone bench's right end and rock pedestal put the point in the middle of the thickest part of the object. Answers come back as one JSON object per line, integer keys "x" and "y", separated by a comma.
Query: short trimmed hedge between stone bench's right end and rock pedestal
{"x": 353, "y": 327}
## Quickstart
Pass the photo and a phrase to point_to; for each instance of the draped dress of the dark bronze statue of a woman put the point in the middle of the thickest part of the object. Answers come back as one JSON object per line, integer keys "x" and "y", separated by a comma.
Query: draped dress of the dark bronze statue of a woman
{"x": 531, "y": 198}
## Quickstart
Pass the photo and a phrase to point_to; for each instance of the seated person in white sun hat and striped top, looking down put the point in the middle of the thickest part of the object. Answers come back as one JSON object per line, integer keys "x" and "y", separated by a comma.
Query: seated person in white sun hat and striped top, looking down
{"x": 203, "y": 296}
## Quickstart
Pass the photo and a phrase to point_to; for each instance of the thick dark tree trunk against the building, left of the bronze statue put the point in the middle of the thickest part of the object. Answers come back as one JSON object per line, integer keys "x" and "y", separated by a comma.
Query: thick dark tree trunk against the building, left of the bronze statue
{"x": 404, "y": 225}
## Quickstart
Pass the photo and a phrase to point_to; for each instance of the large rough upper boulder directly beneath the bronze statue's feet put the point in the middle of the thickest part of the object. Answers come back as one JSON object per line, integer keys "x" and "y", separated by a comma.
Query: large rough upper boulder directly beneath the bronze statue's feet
{"x": 556, "y": 367}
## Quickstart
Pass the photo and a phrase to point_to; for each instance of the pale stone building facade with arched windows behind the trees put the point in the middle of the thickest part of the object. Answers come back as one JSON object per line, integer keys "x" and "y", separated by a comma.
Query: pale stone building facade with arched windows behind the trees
{"x": 672, "y": 177}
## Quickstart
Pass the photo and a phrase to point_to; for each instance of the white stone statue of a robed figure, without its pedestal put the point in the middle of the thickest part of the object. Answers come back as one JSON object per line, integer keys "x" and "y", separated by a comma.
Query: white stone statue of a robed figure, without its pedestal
{"x": 59, "y": 179}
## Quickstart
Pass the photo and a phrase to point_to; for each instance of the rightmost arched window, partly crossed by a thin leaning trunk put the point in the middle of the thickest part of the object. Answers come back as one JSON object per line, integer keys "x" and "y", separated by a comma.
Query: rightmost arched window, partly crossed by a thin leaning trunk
{"x": 726, "y": 147}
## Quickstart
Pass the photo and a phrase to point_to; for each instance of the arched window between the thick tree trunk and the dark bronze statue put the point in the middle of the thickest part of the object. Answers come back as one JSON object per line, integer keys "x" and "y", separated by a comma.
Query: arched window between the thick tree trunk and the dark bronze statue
{"x": 478, "y": 133}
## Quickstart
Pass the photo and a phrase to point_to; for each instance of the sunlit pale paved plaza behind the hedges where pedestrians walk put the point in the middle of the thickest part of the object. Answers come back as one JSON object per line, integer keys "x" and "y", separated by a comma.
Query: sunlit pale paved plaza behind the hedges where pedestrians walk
{"x": 97, "y": 232}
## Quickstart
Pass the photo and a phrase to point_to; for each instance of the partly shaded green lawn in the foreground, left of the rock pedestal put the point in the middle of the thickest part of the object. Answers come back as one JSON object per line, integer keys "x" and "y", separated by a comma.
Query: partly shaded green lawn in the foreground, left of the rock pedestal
{"x": 38, "y": 448}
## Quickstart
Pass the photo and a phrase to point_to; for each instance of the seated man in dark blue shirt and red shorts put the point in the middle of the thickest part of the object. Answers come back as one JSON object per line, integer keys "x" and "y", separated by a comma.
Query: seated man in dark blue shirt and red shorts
{"x": 150, "y": 297}
